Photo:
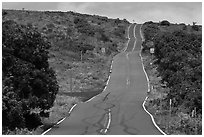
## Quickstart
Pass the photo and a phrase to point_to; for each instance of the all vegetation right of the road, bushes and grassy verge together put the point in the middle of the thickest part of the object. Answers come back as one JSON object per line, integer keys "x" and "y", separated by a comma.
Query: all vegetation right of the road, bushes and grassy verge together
{"x": 175, "y": 73}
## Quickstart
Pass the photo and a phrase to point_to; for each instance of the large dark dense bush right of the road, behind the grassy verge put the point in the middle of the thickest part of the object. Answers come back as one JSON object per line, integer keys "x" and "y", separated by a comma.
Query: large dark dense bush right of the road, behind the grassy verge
{"x": 179, "y": 59}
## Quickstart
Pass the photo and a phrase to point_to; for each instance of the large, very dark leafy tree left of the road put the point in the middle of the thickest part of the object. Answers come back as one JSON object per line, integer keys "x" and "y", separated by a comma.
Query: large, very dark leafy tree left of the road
{"x": 29, "y": 85}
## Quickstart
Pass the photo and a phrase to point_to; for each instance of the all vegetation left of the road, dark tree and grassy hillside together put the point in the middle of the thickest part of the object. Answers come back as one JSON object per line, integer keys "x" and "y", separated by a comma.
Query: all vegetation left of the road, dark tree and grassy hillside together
{"x": 51, "y": 61}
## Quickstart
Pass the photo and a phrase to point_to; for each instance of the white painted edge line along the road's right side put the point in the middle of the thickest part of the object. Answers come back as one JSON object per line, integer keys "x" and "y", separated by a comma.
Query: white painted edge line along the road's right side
{"x": 143, "y": 104}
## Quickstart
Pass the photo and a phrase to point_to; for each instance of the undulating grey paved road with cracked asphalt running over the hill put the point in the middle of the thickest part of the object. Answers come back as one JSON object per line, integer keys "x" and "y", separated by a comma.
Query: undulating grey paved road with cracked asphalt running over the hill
{"x": 118, "y": 110}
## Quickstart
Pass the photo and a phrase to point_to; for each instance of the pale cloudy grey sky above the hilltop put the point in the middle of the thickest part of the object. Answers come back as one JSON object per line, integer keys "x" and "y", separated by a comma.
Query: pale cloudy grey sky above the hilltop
{"x": 140, "y": 12}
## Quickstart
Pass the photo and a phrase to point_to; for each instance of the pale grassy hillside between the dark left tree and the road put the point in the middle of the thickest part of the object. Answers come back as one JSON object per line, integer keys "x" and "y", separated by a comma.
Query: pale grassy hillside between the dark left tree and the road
{"x": 82, "y": 48}
